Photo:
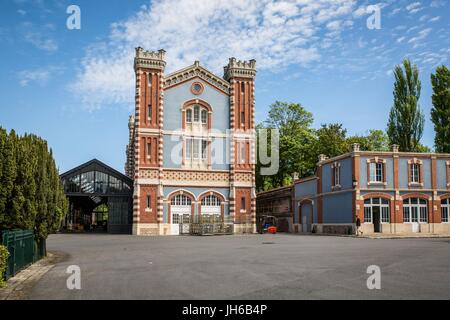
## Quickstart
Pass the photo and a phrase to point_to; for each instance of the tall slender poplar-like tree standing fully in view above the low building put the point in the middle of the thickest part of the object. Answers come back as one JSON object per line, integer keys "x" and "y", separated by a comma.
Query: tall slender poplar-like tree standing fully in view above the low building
{"x": 406, "y": 120}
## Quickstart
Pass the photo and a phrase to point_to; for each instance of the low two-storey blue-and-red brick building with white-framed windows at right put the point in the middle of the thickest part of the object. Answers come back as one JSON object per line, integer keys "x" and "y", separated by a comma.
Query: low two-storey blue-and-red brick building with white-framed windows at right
{"x": 392, "y": 192}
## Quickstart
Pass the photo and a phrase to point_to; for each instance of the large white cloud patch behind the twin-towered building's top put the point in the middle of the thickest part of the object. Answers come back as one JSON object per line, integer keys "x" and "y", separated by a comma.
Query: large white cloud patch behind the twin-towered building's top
{"x": 275, "y": 33}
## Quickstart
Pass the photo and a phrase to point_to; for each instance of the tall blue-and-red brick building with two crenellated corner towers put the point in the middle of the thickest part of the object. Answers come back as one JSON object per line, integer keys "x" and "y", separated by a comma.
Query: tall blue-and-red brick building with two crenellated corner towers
{"x": 191, "y": 146}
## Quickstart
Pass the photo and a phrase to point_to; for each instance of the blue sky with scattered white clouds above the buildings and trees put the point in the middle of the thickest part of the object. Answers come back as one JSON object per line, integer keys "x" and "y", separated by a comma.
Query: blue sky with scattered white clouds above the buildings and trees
{"x": 75, "y": 87}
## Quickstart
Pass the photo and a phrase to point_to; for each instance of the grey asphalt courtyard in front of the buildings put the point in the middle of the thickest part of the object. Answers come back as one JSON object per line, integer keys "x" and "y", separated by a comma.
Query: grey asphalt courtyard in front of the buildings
{"x": 266, "y": 266}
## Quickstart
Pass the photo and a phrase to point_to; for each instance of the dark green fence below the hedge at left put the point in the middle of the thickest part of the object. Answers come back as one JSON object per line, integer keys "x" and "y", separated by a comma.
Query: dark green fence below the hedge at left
{"x": 23, "y": 249}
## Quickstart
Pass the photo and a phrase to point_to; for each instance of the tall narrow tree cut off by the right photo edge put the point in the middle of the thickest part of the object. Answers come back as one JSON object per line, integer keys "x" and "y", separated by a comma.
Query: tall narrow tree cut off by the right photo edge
{"x": 440, "y": 112}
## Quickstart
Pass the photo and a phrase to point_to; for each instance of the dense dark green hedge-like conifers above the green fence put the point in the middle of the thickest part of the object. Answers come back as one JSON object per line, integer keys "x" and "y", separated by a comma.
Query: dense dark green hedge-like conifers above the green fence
{"x": 31, "y": 193}
